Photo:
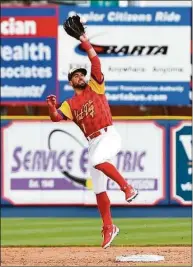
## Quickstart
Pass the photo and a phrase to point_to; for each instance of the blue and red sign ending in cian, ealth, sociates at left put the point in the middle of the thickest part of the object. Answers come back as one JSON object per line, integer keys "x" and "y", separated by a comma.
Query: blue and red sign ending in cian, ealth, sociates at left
{"x": 28, "y": 54}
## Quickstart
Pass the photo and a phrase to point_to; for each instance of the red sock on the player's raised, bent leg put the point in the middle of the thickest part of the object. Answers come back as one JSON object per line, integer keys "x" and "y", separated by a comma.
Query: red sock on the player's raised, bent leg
{"x": 109, "y": 170}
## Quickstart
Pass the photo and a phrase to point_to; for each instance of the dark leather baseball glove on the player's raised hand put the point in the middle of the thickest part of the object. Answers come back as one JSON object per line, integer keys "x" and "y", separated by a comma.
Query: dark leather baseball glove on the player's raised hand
{"x": 74, "y": 27}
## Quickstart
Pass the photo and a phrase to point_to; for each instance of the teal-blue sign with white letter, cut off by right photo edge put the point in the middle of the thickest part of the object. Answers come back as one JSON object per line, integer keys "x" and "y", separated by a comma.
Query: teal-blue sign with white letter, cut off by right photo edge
{"x": 181, "y": 162}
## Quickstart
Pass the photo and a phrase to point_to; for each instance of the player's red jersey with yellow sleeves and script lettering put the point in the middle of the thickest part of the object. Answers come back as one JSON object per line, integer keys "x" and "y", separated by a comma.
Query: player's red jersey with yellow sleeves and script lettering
{"x": 89, "y": 110}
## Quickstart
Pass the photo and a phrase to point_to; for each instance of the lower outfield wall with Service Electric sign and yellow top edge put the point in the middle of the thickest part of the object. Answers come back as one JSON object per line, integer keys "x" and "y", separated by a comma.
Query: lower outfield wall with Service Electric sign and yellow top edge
{"x": 46, "y": 164}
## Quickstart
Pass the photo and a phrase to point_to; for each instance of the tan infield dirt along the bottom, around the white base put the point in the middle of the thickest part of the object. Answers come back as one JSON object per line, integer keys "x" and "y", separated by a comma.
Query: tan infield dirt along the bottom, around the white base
{"x": 90, "y": 256}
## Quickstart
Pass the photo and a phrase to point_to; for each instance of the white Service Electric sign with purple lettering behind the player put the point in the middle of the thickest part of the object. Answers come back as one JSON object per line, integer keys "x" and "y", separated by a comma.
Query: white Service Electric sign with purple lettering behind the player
{"x": 47, "y": 163}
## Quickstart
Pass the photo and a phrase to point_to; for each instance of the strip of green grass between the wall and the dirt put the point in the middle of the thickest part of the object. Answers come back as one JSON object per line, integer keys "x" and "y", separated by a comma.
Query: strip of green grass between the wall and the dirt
{"x": 86, "y": 232}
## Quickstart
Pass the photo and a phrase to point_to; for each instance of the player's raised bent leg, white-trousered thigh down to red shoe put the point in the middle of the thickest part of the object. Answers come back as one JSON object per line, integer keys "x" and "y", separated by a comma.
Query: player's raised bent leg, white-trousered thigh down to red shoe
{"x": 106, "y": 149}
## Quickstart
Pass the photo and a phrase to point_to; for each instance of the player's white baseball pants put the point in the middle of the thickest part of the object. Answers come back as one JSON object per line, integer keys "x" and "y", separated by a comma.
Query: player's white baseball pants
{"x": 101, "y": 149}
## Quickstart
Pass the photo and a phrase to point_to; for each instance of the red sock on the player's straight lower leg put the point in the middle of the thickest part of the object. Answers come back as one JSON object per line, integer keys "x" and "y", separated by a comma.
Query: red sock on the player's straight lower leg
{"x": 103, "y": 203}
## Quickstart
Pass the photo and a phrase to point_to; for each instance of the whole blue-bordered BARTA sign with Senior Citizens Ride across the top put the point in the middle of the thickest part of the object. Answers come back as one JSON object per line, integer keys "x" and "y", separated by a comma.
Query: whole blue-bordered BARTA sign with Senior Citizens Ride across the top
{"x": 144, "y": 54}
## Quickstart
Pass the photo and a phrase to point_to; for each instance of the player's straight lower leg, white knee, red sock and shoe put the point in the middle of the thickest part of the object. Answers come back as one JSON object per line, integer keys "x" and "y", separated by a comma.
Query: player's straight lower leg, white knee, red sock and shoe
{"x": 99, "y": 186}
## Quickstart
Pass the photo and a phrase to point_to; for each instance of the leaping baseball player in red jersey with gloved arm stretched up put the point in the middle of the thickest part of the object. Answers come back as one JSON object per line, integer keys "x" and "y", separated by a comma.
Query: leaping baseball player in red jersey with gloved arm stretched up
{"x": 89, "y": 109}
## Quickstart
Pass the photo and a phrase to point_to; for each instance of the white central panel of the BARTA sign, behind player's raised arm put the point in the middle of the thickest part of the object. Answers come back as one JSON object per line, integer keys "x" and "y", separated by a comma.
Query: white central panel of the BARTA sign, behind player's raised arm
{"x": 136, "y": 54}
